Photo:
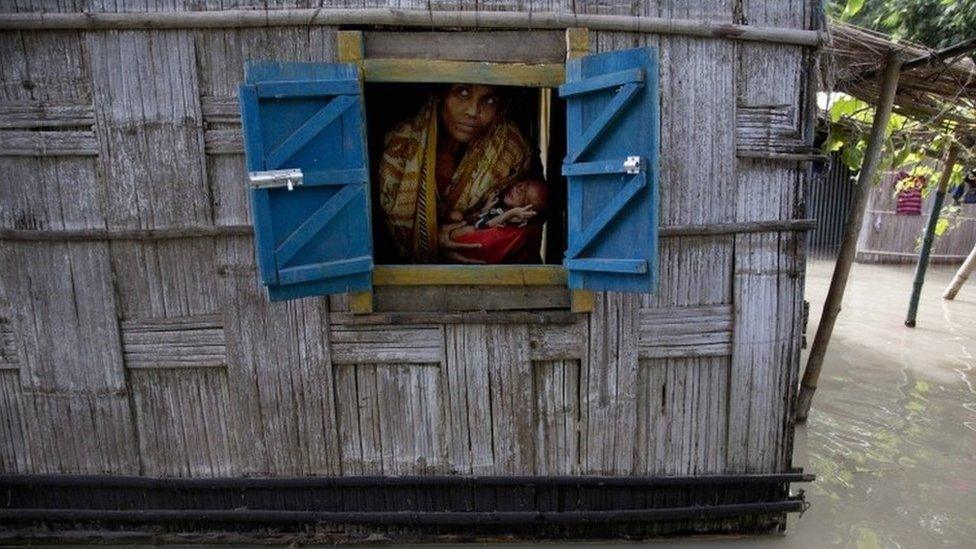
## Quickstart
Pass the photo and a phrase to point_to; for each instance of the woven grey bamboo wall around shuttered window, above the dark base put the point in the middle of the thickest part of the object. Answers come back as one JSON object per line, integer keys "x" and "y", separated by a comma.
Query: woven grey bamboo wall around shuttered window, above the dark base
{"x": 162, "y": 356}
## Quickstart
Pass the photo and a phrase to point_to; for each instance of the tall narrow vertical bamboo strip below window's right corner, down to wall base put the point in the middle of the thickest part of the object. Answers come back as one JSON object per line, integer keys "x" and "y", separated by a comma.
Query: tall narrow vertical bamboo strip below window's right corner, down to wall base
{"x": 608, "y": 386}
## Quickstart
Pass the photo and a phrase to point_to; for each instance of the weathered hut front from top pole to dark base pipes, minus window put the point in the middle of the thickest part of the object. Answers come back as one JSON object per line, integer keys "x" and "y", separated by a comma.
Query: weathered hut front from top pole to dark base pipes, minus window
{"x": 136, "y": 339}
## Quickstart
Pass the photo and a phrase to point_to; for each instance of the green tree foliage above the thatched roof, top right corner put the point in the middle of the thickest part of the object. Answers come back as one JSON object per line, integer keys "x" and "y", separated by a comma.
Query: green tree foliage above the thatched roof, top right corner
{"x": 934, "y": 23}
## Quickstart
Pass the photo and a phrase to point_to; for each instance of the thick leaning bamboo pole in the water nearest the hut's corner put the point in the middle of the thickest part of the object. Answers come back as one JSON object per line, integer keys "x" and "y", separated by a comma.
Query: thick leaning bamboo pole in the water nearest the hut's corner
{"x": 842, "y": 270}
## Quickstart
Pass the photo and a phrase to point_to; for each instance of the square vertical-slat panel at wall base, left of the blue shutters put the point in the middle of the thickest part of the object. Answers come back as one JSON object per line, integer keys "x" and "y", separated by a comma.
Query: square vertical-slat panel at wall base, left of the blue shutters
{"x": 181, "y": 416}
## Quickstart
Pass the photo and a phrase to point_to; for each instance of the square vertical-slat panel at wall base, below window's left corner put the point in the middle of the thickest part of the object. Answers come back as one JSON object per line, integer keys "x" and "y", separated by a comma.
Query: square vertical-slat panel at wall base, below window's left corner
{"x": 391, "y": 419}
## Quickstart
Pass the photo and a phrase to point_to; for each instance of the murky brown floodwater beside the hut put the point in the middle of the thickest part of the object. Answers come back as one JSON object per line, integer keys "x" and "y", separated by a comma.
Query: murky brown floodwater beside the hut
{"x": 892, "y": 432}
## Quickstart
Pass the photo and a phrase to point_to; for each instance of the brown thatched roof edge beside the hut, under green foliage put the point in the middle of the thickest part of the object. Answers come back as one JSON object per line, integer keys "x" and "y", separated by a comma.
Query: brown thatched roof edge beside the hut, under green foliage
{"x": 941, "y": 92}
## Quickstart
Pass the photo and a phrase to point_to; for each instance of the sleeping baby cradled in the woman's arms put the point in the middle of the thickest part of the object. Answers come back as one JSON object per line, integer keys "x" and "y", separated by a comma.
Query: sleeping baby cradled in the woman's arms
{"x": 512, "y": 207}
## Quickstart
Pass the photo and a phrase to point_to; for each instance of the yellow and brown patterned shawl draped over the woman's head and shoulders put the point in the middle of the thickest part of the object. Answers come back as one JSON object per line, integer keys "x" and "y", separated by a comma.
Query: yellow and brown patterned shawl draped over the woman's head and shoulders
{"x": 408, "y": 188}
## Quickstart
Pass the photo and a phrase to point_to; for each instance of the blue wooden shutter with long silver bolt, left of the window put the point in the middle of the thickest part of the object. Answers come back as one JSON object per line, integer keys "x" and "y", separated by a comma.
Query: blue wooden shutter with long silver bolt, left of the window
{"x": 312, "y": 238}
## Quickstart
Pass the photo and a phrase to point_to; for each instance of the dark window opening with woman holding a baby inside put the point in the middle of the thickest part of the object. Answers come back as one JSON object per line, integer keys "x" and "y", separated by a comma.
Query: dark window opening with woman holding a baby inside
{"x": 400, "y": 117}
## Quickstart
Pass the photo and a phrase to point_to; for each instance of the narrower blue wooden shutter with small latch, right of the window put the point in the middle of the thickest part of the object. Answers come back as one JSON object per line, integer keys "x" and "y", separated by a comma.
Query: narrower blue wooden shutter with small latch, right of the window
{"x": 613, "y": 137}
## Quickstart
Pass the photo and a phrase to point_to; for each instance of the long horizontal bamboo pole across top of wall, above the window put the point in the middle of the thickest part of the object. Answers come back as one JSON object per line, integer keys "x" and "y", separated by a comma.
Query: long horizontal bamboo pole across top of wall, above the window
{"x": 428, "y": 19}
